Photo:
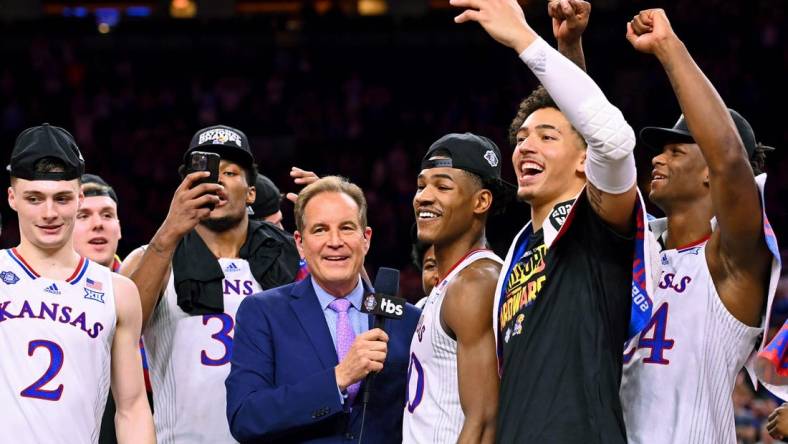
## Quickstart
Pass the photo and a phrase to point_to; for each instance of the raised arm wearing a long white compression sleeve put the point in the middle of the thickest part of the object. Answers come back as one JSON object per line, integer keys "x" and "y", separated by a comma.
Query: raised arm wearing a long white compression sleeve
{"x": 610, "y": 164}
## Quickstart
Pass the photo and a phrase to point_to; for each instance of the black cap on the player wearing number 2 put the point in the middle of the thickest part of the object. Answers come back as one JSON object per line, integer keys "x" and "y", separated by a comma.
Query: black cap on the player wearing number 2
{"x": 39, "y": 142}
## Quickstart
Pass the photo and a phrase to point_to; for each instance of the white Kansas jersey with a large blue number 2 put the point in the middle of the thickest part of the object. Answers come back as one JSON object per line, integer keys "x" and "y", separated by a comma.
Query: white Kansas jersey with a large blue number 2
{"x": 56, "y": 339}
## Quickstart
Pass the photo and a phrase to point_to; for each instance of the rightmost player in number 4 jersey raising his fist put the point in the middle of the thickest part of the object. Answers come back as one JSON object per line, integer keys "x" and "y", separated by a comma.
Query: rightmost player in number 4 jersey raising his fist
{"x": 719, "y": 261}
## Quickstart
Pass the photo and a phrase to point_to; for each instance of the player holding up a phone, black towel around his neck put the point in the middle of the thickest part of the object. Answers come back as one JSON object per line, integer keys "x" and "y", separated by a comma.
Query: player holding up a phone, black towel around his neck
{"x": 192, "y": 277}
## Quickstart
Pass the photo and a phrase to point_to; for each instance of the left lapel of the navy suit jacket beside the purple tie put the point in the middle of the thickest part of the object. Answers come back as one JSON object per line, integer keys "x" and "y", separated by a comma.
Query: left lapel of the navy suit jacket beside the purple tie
{"x": 310, "y": 315}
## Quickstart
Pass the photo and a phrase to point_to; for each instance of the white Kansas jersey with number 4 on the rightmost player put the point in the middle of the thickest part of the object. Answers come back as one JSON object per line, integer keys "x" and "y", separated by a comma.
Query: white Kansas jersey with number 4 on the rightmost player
{"x": 679, "y": 373}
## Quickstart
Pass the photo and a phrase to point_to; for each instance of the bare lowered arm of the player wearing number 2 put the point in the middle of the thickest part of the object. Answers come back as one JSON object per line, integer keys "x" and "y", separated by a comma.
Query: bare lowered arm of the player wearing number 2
{"x": 133, "y": 420}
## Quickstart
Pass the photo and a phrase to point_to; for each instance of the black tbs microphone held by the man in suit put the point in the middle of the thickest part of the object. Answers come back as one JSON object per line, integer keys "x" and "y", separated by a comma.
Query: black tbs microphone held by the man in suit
{"x": 382, "y": 304}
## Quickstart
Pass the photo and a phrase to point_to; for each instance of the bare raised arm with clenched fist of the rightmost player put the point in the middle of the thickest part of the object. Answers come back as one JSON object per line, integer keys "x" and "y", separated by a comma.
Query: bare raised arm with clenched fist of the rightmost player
{"x": 737, "y": 253}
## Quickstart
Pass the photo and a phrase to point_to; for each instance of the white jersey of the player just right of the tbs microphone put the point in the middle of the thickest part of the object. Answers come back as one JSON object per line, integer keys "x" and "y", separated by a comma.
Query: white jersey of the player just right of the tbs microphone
{"x": 432, "y": 412}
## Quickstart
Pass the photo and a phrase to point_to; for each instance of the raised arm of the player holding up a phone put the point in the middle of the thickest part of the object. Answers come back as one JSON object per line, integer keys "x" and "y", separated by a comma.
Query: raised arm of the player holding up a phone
{"x": 149, "y": 267}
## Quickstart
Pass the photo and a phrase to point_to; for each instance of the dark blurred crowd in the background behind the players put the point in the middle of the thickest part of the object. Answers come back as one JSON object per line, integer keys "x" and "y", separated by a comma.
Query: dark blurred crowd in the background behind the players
{"x": 364, "y": 98}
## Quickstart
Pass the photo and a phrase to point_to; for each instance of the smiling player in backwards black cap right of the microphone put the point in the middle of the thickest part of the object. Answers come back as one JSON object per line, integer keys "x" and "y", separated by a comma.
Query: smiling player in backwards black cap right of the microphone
{"x": 453, "y": 376}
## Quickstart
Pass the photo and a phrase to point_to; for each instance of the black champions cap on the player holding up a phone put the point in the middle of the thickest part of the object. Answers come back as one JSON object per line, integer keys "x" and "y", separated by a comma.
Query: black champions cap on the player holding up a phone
{"x": 228, "y": 142}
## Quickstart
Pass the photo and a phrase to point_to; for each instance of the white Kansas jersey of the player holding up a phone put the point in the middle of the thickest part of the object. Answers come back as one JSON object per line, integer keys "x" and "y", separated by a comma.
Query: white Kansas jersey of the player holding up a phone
{"x": 189, "y": 359}
